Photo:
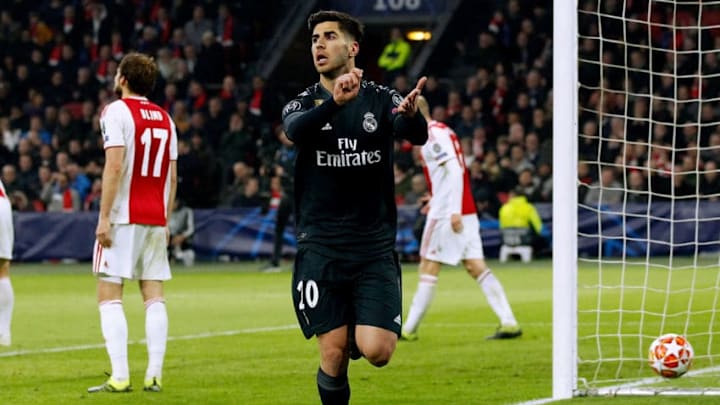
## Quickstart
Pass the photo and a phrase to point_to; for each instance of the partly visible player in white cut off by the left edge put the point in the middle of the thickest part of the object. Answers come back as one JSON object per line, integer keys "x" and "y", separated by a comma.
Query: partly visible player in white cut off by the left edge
{"x": 7, "y": 298}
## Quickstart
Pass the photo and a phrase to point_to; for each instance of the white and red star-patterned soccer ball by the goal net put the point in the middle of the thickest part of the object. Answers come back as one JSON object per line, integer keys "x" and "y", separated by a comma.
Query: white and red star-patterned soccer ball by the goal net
{"x": 670, "y": 355}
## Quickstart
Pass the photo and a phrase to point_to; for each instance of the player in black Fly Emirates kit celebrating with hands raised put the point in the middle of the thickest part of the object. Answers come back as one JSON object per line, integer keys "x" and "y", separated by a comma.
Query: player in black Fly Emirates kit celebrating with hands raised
{"x": 346, "y": 279}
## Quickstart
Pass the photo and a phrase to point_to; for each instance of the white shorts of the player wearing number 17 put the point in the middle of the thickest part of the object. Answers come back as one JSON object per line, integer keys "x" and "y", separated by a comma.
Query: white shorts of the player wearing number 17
{"x": 138, "y": 252}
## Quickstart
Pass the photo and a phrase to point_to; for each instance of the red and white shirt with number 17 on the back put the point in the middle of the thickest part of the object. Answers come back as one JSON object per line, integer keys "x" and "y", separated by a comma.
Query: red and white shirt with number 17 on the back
{"x": 149, "y": 137}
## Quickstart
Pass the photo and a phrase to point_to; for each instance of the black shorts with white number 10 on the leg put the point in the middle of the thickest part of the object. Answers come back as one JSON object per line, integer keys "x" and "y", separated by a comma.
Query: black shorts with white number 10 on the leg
{"x": 329, "y": 293}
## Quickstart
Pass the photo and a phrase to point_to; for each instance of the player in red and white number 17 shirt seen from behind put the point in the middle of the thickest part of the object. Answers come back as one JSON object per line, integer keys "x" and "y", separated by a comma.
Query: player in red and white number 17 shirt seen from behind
{"x": 138, "y": 185}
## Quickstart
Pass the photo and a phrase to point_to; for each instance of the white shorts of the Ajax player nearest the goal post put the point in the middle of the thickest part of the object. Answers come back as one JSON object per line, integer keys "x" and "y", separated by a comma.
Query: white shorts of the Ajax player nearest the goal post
{"x": 441, "y": 244}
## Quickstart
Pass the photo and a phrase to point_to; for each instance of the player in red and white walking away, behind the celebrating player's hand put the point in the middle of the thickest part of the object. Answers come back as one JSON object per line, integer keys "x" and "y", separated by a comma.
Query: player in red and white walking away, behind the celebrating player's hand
{"x": 452, "y": 231}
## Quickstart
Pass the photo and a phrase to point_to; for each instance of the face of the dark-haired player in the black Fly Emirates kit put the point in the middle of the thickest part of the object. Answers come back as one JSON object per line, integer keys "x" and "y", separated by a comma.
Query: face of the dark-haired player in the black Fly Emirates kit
{"x": 331, "y": 49}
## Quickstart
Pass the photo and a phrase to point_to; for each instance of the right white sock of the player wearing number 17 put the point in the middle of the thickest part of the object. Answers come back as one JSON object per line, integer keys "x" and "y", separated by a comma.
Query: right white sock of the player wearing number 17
{"x": 156, "y": 329}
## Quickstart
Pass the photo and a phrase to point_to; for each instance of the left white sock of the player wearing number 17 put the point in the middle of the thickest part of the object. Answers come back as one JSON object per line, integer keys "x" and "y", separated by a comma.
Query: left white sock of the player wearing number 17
{"x": 115, "y": 332}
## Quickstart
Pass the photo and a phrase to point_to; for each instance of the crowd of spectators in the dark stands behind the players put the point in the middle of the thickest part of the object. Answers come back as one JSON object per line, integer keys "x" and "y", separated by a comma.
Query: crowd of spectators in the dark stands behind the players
{"x": 59, "y": 60}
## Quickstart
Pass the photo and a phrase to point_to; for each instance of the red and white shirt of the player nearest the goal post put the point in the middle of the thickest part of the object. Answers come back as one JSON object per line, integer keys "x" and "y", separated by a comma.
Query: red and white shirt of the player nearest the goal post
{"x": 447, "y": 178}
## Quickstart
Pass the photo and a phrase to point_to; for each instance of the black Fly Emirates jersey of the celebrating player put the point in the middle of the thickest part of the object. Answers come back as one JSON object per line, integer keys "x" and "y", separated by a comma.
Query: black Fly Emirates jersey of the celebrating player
{"x": 344, "y": 181}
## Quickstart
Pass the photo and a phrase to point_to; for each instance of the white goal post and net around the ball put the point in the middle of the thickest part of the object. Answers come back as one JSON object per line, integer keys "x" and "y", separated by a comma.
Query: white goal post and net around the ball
{"x": 643, "y": 113}
